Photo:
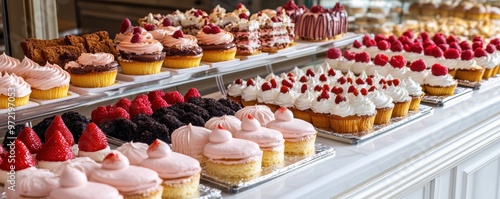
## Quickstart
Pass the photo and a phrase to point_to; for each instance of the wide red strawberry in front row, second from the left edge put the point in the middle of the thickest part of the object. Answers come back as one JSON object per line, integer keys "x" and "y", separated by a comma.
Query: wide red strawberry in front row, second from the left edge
{"x": 56, "y": 149}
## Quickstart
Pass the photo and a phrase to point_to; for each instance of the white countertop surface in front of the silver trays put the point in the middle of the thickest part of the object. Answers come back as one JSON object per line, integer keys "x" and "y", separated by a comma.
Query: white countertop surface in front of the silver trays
{"x": 354, "y": 164}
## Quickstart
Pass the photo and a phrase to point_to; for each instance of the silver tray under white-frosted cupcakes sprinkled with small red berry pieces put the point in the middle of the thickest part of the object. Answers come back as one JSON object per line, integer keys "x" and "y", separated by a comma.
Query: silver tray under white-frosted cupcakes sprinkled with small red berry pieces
{"x": 377, "y": 129}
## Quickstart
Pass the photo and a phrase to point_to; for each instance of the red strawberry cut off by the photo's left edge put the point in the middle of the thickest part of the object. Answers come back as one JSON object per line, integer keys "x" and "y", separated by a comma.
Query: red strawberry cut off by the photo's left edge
{"x": 22, "y": 158}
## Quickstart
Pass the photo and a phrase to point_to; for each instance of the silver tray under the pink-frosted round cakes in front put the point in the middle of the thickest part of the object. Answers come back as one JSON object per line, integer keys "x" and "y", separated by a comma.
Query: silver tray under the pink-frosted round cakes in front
{"x": 292, "y": 163}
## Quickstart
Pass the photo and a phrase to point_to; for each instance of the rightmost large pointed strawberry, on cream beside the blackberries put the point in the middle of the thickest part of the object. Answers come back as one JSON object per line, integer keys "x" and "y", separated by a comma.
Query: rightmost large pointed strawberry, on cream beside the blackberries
{"x": 92, "y": 139}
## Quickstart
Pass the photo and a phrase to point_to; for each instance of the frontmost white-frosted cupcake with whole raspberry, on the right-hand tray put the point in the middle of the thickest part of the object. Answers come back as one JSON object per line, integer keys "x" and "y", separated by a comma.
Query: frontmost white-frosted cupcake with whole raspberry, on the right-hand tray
{"x": 439, "y": 82}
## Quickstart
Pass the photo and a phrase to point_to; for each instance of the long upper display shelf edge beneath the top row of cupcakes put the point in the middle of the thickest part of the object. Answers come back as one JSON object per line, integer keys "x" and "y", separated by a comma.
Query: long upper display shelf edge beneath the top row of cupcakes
{"x": 303, "y": 49}
